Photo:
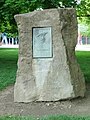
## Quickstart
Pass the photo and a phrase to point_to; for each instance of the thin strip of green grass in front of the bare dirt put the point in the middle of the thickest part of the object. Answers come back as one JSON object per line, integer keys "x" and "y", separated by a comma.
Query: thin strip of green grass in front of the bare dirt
{"x": 57, "y": 117}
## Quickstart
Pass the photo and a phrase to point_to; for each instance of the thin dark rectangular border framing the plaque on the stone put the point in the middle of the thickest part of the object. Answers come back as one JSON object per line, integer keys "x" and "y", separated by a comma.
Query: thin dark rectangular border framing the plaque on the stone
{"x": 51, "y": 39}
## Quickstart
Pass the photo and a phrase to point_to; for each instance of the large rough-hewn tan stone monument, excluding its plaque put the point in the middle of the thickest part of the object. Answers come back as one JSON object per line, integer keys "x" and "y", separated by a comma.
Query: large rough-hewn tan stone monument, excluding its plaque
{"x": 50, "y": 79}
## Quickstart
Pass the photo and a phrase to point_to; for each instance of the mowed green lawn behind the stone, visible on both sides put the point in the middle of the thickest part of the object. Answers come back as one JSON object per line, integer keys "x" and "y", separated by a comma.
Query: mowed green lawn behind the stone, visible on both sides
{"x": 8, "y": 65}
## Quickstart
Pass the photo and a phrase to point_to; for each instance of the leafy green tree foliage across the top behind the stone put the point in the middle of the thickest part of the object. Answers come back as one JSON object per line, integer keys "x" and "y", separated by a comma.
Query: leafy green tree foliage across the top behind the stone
{"x": 9, "y": 8}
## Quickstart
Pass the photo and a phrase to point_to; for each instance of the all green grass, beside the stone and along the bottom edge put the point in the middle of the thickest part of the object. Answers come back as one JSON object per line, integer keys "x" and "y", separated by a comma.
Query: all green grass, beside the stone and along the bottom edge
{"x": 8, "y": 67}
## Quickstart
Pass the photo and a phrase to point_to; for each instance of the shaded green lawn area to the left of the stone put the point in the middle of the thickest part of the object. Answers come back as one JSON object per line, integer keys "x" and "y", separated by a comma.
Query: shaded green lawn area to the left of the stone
{"x": 8, "y": 66}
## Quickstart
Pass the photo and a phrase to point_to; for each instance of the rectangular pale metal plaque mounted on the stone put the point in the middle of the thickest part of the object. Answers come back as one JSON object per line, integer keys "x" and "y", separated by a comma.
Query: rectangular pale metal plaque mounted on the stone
{"x": 42, "y": 42}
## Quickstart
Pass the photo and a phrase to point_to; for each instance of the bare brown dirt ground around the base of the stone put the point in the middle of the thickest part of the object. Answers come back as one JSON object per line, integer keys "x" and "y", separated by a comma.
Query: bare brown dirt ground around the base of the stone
{"x": 79, "y": 106}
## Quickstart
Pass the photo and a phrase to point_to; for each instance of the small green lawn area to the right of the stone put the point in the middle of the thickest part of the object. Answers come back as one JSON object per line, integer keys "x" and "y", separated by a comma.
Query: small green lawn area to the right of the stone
{"x": 83, "y": 58}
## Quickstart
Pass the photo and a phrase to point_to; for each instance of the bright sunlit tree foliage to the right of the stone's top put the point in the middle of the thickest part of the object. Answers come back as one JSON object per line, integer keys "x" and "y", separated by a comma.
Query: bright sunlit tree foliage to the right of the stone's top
{"x": 83, "y": 12}
